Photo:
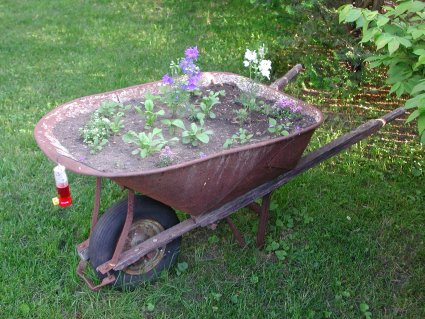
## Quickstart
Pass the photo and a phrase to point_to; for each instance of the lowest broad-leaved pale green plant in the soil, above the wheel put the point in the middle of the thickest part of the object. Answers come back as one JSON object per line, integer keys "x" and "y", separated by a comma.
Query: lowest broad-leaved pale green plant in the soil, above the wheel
{"x": 147, "y": 144}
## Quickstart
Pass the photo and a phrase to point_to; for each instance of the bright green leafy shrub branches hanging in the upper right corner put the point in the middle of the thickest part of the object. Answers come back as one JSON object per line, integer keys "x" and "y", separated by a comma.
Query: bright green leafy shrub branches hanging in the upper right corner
{"x": 399, "y": 37}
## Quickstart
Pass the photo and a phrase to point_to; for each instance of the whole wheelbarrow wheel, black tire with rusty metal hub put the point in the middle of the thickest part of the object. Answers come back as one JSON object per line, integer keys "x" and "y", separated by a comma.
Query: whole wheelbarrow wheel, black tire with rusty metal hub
{"x": 150, "y": 217}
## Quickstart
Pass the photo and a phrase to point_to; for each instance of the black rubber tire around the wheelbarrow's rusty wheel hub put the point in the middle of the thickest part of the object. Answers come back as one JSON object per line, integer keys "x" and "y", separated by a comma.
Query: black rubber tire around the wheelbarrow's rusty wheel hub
{"x": 107, "y": 230}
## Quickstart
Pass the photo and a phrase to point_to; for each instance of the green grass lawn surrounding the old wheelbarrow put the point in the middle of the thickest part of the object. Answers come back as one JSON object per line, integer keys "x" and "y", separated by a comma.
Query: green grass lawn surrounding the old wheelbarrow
{"x": 349, "y": 232}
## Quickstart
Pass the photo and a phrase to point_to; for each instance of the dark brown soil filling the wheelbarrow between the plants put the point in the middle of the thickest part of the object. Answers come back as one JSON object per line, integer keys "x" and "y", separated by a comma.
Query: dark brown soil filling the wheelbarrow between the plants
{"x": 116, "y": 155}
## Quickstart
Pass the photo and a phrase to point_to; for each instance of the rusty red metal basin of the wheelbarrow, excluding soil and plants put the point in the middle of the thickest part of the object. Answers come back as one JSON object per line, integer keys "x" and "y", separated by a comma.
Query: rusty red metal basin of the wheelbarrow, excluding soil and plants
{"x": 196, "y": 186}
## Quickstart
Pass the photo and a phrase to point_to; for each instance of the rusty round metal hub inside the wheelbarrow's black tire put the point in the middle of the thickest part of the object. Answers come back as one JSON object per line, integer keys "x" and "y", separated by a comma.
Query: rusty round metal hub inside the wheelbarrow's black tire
{"x": 140, "y": 231}
